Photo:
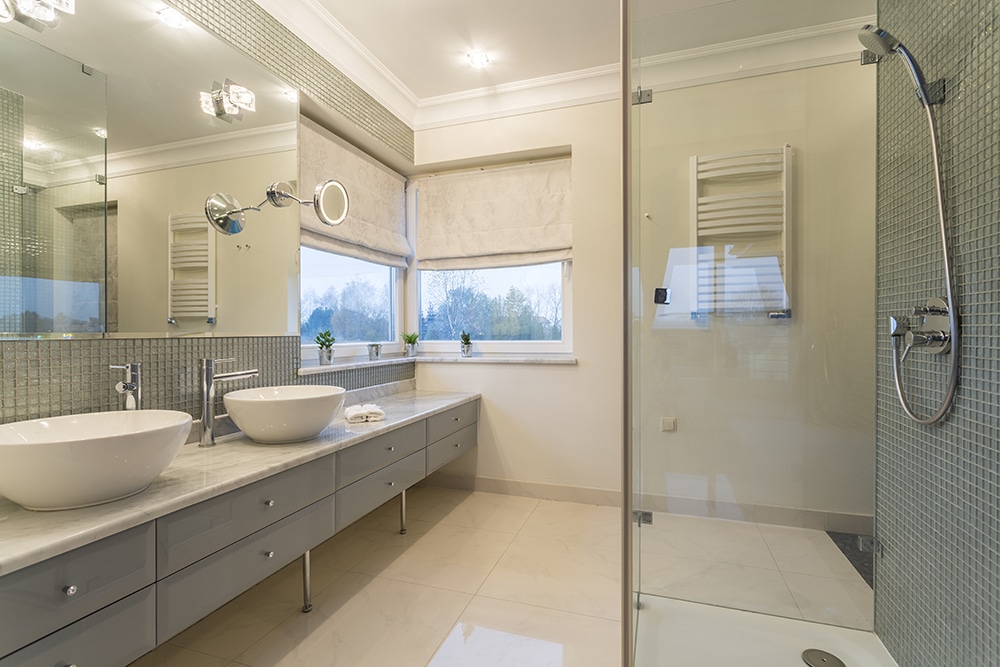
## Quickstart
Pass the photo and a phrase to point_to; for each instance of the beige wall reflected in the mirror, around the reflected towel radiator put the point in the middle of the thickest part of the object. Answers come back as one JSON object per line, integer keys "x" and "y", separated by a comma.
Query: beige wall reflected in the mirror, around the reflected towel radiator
{"x": 257, "y": 270}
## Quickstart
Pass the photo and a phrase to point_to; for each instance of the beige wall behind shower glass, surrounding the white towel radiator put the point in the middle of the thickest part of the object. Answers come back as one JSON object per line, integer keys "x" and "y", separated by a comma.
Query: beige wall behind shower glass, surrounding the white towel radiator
{"x": 770, "y": 414}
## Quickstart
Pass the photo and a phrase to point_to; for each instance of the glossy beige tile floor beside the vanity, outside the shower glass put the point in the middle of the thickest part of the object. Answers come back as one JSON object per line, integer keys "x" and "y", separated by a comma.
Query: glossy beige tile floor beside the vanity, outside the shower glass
{"x": 480, "y": 579}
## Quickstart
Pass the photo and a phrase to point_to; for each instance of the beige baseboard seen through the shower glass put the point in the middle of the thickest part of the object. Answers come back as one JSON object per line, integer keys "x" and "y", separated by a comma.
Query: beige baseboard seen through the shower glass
{"x": 860, "y": 524}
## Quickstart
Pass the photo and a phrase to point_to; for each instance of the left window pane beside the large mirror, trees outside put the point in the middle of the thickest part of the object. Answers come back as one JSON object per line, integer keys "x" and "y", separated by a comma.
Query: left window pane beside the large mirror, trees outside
{"x": 354, "y": 299}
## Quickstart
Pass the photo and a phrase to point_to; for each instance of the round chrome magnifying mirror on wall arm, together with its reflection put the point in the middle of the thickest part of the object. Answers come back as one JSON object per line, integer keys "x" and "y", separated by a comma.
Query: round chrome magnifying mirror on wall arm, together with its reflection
{"x": 330, "y": 201}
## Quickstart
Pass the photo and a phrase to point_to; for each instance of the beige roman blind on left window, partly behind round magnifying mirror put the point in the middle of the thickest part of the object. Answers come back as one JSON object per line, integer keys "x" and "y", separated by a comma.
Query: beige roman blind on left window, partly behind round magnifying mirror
{"x": 375, "y": 228}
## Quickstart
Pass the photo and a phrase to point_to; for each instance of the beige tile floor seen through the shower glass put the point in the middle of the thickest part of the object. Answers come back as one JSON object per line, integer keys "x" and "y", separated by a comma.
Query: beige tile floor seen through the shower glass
{"x": 791, "y": 572}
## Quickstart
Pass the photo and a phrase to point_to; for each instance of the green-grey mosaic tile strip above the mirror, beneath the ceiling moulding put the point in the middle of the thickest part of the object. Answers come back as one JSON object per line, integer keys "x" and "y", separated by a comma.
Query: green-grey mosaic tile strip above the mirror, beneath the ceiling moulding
{"x": 255, "y": 32}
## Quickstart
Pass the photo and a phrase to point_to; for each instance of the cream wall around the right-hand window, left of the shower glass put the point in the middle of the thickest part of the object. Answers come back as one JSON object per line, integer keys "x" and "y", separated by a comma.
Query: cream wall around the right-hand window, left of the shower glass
{"x": 550, "y": 429}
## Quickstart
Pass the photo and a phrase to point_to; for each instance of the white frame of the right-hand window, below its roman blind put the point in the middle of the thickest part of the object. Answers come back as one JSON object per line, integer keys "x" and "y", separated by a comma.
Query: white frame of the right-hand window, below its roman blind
{"x": 504, "y": 347}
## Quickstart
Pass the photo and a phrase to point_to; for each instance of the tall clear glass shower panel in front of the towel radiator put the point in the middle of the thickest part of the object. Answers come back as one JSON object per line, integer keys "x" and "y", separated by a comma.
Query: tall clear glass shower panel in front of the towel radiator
{"x": 750, "y": 158}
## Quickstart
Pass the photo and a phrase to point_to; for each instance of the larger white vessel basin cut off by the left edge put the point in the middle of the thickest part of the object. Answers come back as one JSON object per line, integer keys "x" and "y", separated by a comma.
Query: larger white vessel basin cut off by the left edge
{"x": 80, "y": 460}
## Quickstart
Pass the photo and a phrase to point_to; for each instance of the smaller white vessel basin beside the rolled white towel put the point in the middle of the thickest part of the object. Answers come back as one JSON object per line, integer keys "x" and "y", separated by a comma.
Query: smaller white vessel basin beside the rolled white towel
{"x": 275, "y": 415}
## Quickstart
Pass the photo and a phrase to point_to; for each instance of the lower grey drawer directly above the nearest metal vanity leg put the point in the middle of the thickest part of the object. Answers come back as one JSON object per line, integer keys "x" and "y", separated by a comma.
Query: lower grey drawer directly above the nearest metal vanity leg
{"x": 186, "y": 597}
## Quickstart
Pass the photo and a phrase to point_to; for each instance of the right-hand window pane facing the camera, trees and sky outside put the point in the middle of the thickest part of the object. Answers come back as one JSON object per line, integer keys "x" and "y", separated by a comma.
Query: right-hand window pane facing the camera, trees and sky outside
{"x": 523, "y": 303}
